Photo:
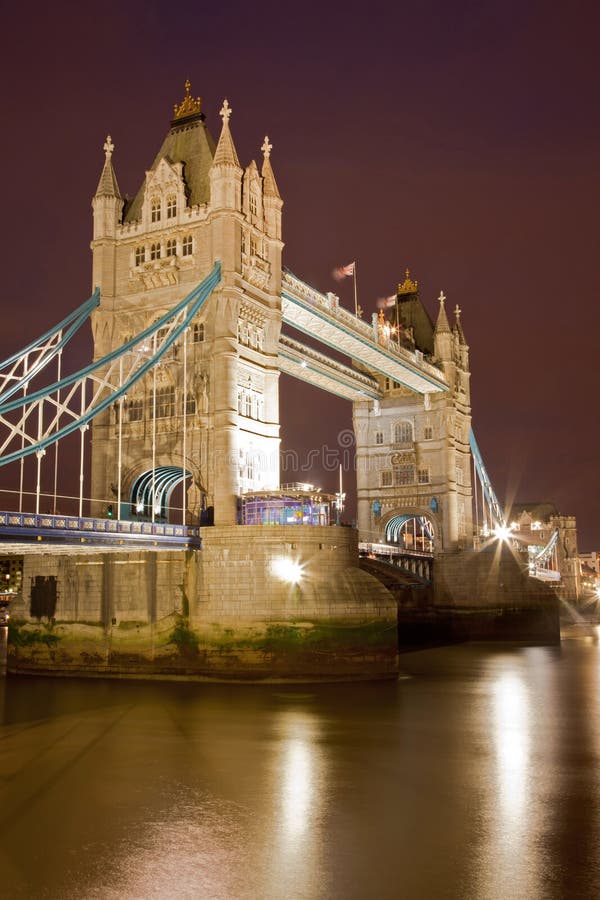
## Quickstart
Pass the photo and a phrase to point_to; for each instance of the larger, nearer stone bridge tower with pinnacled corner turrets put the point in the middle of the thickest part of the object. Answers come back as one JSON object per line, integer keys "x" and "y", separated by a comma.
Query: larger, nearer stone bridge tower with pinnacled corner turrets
{"x": 196, "y": 206}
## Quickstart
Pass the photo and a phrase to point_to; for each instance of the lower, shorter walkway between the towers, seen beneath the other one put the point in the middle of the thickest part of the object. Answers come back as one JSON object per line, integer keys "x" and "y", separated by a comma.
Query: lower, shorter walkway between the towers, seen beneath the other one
{"x": 323, "y": 372}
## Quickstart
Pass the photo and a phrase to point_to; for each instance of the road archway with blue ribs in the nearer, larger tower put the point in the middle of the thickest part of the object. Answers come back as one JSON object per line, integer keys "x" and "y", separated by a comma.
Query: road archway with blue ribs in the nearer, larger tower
{"x": 152, "y": 493}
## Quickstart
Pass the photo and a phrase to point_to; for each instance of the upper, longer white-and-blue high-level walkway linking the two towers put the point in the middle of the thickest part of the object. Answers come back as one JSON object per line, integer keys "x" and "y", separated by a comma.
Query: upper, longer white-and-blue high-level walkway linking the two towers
{"x": 323, "y": 319}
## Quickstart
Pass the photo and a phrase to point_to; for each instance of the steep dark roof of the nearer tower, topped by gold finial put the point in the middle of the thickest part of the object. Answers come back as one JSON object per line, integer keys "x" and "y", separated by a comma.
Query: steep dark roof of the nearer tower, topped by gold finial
{"x": 188, "y": 142}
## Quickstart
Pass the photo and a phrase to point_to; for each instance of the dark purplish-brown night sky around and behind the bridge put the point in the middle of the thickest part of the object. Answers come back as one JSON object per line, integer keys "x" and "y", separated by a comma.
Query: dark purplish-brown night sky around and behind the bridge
{"x": 459, "y": 139}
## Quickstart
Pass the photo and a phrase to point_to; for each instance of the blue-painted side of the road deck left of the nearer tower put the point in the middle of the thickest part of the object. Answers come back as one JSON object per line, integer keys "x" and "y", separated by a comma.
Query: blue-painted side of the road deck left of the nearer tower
{"x": 76, "y": 530}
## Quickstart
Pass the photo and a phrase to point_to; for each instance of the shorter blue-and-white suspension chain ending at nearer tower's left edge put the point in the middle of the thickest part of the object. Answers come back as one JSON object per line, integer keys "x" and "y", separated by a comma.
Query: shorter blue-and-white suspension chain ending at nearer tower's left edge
{"x": 17, "y": 371}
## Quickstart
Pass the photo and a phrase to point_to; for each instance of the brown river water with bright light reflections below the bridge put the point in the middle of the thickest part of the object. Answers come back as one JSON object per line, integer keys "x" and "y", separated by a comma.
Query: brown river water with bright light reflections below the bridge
{"x": 476, "y": 775}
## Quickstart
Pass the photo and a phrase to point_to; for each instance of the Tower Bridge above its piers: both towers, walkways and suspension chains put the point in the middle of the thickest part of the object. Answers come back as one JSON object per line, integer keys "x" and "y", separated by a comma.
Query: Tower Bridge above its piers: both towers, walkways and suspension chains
{"x": 189, "y": 302}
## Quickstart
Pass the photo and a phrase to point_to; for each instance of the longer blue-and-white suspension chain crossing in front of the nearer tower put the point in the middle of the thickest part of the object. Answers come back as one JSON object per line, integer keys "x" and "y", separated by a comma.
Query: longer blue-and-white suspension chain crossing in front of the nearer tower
{"x": 98, "y": 379}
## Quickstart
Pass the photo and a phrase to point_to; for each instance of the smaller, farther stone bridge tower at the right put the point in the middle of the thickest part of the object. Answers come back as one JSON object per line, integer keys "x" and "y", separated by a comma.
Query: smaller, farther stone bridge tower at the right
{"x": 413, "y": 458}
